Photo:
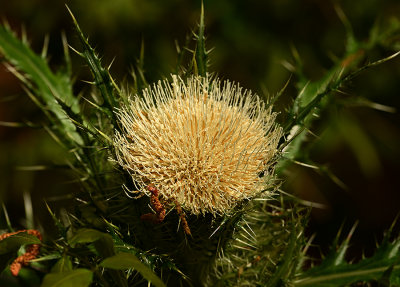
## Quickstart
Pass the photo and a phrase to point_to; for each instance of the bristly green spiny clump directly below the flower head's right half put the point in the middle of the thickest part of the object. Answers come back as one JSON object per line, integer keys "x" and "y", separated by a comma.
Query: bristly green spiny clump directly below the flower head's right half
{"x": 265, "y": 248}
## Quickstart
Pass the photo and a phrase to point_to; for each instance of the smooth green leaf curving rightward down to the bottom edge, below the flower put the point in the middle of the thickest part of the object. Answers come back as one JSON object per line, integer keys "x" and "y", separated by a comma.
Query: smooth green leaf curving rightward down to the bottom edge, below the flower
{"x": 124, "y": 261}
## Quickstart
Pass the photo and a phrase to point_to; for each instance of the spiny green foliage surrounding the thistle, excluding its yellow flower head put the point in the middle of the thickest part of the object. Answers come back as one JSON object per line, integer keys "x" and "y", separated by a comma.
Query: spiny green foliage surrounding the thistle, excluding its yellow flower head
{"x": 259, "y": 243}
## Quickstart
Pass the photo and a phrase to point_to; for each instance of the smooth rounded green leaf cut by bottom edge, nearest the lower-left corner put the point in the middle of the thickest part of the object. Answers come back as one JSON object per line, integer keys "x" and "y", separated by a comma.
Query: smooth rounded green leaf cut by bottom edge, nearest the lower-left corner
{"x": 76, "y": 278}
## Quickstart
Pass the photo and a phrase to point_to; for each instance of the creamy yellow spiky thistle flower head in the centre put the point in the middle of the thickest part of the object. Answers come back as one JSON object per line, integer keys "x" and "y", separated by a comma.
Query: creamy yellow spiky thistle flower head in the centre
{"x": 204, "y": 144}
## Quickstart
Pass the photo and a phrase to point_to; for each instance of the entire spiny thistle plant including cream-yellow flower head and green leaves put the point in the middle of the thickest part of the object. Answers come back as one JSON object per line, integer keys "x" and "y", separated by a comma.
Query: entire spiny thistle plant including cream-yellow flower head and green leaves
{"x": 180, "y": 180}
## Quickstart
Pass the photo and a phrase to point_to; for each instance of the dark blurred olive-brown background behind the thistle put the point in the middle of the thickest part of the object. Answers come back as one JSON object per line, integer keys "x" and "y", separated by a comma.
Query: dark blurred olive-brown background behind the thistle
{"x": 251, "y": 41}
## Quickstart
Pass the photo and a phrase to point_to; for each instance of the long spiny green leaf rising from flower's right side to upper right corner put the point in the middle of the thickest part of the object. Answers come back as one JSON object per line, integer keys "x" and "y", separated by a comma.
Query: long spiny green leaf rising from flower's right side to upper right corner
{"x": 315, "y": 96}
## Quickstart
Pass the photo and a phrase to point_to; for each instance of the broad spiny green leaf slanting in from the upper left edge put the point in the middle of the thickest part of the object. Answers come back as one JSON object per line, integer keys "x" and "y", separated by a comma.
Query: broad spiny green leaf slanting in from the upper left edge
{"x": 49, "y": 87}
